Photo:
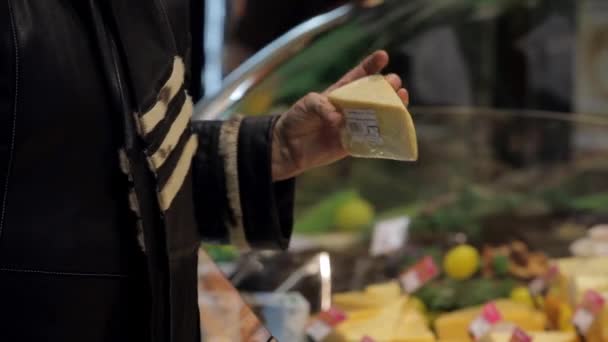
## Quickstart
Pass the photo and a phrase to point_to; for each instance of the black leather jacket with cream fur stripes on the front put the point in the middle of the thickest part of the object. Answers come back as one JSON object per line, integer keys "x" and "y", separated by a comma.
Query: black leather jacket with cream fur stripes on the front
{"x": 106, "y": 188}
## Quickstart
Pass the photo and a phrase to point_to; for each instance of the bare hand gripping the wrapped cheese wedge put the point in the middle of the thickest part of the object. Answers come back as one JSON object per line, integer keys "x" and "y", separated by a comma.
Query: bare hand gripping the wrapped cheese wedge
{"x": 308, "y": 134}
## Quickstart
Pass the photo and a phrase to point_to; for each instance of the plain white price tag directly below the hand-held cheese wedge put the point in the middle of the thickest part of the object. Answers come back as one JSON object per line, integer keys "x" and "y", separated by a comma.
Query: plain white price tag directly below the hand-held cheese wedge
{"x": 389, "y": 236}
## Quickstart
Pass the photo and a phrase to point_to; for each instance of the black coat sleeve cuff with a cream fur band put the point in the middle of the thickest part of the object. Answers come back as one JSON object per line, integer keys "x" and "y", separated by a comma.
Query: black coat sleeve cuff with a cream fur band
{"x": 235, "y": 198}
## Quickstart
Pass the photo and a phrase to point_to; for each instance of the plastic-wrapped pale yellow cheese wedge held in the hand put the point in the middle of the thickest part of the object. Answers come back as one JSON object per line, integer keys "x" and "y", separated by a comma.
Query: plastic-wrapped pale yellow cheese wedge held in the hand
{"x": 377, "y": 123}
